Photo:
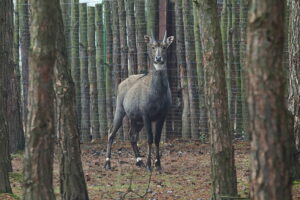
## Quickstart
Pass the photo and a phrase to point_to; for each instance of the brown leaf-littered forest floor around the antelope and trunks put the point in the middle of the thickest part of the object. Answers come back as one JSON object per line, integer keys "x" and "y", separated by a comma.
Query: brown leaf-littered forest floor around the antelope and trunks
{"x": 185, "y": 174}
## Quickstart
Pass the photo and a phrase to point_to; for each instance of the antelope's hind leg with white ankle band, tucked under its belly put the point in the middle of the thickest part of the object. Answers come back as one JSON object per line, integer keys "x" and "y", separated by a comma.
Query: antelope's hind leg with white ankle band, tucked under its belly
{"x": 135, "y": 128}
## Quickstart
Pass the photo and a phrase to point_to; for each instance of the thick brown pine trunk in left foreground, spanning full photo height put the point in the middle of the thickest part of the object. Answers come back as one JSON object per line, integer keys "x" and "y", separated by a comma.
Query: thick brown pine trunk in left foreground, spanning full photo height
{"x": 38, "y": 168}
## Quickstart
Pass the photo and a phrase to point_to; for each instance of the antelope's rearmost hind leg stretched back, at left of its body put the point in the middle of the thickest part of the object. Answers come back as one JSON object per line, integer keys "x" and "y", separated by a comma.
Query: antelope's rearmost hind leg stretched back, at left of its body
{"x": 119, "y": 115}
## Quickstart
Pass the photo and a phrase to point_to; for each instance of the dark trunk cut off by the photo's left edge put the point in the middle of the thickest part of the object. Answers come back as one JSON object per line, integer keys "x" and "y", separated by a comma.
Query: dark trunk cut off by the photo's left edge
{"x": 7, "y": 62}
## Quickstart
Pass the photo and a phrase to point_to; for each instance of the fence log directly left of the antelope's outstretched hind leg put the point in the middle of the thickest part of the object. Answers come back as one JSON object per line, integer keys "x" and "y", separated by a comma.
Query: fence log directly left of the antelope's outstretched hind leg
{"x": 100, "y": 70}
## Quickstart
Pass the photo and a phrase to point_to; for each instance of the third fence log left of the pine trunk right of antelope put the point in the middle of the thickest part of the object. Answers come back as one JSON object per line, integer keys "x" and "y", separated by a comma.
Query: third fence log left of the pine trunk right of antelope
{"x": 180, "y": 52}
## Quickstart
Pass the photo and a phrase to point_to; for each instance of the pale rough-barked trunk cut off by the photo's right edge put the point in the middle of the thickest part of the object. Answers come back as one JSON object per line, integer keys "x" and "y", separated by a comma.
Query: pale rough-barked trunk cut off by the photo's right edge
{"x": 294, "y": 68}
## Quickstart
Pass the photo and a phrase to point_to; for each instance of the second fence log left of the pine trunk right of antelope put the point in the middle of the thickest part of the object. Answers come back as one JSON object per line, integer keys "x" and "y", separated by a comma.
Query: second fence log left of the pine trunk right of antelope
{"x": 191, "y": 67}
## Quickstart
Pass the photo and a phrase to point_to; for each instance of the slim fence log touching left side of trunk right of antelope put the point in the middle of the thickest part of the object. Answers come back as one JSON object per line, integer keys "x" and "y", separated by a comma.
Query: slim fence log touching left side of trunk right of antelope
{"x": 200, "y": 74}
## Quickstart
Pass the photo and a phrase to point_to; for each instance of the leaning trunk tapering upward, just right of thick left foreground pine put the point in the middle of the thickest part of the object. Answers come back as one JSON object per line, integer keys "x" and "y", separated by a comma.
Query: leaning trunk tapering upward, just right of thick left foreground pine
{"x": 72, "y": 181}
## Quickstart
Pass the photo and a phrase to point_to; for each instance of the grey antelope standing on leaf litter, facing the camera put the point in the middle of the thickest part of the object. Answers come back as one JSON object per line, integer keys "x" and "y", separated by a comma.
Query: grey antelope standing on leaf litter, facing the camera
{"x": 144, "y": 98}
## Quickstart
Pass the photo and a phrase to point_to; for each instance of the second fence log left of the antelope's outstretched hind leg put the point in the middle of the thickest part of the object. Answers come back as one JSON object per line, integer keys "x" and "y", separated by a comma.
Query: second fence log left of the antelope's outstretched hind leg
{"x": 94, "y": 115}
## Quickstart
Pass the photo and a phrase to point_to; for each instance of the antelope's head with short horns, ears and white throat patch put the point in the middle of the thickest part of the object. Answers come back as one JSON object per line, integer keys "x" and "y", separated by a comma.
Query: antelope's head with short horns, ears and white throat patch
{"x": 159, "y": 50}
